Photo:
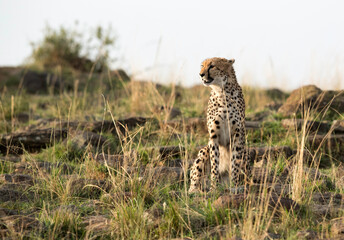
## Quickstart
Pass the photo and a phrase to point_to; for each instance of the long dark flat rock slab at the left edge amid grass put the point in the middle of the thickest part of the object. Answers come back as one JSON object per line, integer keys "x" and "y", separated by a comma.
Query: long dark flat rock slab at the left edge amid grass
{"x": 31, "y": 141}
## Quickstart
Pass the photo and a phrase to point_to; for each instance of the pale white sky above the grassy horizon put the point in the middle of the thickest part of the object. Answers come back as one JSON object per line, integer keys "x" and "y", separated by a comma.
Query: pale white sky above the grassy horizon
{"x": 281, "y": 44}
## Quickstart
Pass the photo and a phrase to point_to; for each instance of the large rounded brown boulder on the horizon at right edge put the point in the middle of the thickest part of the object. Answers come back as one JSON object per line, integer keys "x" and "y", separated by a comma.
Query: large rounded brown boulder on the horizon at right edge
{"x": 313, "y": 97}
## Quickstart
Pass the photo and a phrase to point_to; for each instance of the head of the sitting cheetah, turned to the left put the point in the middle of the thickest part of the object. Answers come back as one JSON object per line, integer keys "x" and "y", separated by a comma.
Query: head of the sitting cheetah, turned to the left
{"x": 216, "y": 71}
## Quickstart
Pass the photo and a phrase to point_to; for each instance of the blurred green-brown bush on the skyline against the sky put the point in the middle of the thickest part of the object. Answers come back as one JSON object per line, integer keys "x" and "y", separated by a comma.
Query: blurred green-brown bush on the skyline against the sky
{"x": 69, "y": 48}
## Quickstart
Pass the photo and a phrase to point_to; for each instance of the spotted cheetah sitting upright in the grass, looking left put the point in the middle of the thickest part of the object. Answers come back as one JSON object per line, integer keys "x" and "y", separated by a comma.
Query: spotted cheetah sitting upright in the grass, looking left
{"x": 226, "y": 126}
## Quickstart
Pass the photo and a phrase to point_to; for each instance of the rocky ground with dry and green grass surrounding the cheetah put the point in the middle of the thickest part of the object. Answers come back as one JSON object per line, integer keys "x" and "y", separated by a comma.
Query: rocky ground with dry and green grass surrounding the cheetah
{"x": 77, "y": 165}
